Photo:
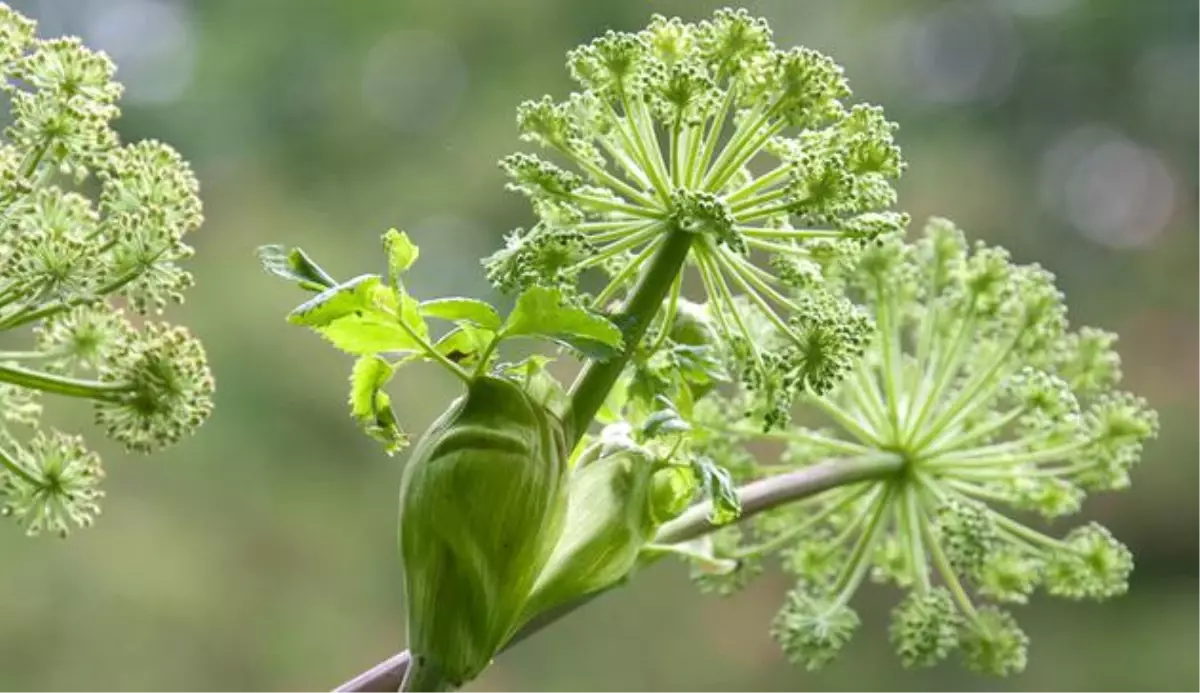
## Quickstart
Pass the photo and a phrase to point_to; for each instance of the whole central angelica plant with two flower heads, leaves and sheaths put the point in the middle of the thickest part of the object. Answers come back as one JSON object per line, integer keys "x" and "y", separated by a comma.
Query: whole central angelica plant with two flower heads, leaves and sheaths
{"x": 704, "y": 155}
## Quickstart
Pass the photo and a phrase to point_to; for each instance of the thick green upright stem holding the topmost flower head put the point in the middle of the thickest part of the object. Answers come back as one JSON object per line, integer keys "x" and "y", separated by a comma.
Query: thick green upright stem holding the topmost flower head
{"x": 597, "y": 379}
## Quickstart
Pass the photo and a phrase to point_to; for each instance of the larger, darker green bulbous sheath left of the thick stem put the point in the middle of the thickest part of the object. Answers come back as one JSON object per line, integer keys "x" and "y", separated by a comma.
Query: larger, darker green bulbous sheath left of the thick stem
{"x": 483, "y": 504}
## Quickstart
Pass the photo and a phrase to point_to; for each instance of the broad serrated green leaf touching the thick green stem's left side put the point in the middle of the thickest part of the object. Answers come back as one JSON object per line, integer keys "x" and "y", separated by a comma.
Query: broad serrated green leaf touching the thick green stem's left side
{"x": 543, "y": 312}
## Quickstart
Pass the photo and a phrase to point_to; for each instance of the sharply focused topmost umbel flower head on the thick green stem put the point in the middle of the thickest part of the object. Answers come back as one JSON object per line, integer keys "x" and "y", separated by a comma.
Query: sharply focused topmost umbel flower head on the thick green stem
{"x": 712, "y": 131}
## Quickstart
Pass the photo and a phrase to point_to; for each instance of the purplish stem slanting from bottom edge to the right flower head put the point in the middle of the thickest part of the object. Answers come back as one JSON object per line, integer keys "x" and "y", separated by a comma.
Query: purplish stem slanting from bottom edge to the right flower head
{"x": 757, "y": 497}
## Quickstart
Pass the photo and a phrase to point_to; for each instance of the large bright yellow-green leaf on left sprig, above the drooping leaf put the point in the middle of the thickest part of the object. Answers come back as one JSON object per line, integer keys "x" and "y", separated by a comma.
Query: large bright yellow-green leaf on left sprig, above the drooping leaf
{"x": 364, "y": 317}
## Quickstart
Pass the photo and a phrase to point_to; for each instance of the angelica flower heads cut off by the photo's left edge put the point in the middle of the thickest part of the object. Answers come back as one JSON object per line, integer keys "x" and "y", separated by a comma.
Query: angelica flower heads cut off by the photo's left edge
{"x": 91, "y": 228}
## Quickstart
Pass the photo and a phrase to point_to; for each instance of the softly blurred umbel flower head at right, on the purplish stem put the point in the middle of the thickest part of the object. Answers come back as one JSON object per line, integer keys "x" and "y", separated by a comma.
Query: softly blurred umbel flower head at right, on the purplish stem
{"x": 974, "y": 402}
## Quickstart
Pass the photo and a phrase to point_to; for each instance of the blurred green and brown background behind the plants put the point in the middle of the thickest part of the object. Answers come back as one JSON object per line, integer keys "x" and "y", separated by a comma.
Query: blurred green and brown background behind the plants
{"x": 260, "y": 556}
